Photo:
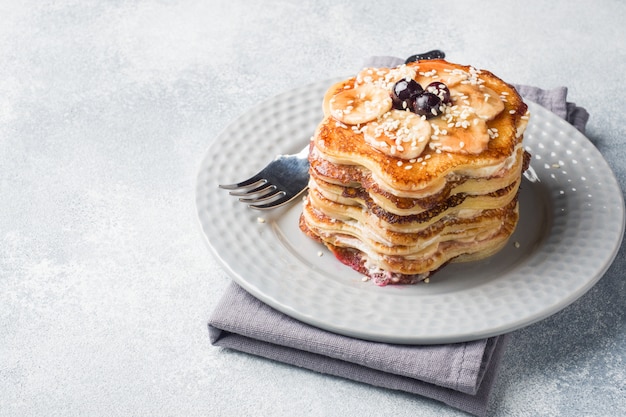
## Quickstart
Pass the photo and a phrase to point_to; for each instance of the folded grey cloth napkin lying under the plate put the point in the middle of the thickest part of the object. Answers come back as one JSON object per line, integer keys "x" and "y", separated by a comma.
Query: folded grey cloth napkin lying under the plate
{"x": 459, "y": 374}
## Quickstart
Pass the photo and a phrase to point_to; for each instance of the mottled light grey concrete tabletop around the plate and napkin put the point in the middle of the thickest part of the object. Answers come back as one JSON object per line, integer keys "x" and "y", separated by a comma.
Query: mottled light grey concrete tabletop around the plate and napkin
{"x": 106, "y": 109}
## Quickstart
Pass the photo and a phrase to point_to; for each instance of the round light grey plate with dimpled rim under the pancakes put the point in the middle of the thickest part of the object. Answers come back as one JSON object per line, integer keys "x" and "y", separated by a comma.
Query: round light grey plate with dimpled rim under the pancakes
{"x": 571, "y": 226}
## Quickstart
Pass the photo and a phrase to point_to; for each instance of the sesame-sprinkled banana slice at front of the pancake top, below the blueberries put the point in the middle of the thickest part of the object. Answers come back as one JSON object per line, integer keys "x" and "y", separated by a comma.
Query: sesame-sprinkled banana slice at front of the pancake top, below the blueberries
{"x": 398, "y": 133}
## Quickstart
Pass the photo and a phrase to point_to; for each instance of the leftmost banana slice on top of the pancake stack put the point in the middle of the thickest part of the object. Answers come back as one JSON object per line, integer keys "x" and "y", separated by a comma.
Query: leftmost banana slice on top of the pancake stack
{"x": 360, "y": 105}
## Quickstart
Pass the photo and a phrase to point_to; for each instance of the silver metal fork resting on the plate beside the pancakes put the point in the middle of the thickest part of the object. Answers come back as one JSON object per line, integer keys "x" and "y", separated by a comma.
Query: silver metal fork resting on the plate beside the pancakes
{"x": 282, "y": 180}
